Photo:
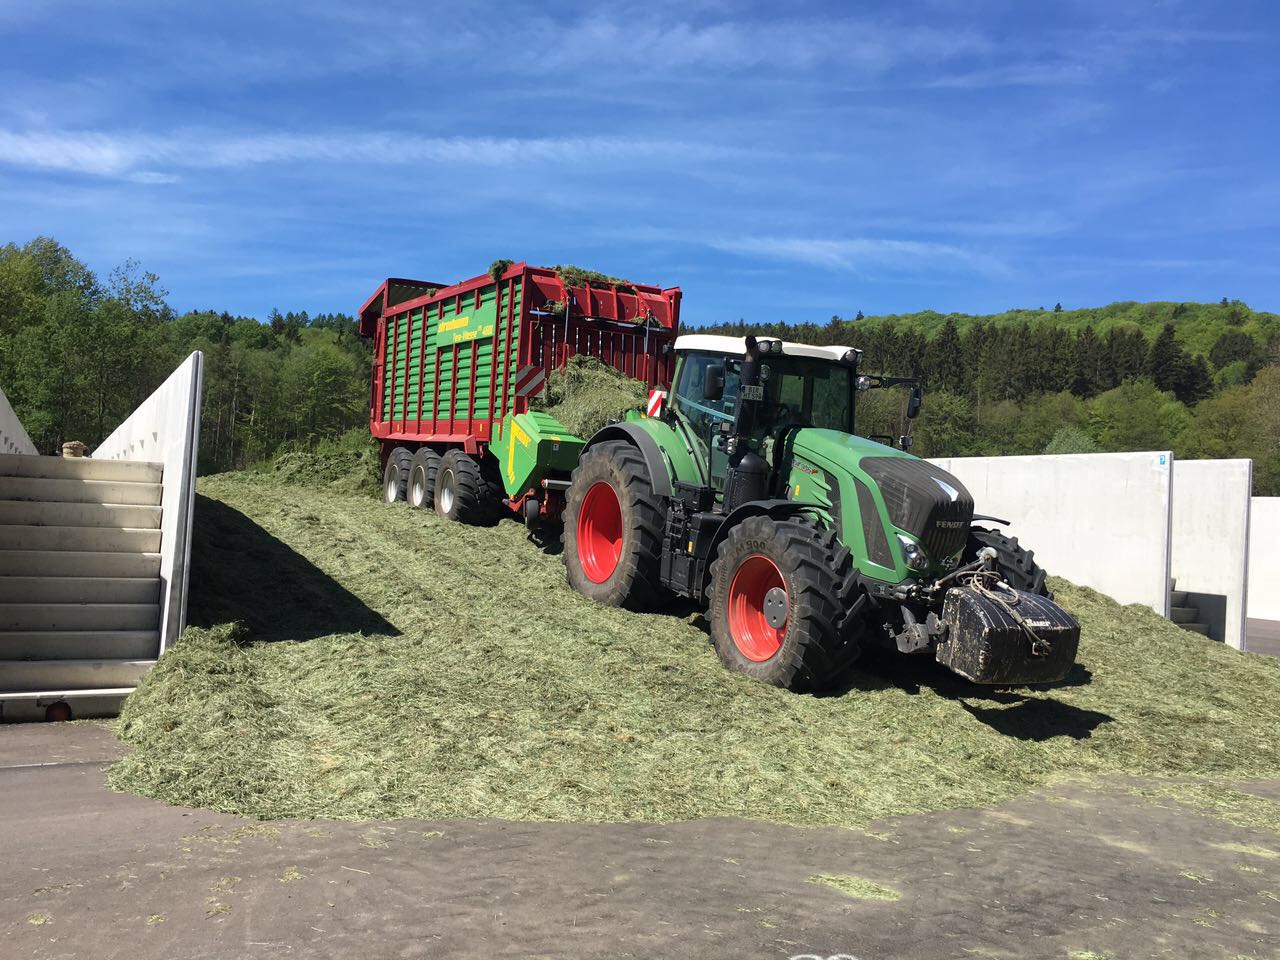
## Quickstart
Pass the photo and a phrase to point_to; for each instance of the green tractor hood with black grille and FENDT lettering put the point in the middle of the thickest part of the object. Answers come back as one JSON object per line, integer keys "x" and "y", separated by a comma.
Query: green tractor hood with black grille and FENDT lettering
{"x": 884, "y": 492}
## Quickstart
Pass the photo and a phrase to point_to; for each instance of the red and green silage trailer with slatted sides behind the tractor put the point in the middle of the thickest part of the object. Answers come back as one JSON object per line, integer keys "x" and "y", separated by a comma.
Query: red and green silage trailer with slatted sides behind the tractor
{"x": 452, "y": 362}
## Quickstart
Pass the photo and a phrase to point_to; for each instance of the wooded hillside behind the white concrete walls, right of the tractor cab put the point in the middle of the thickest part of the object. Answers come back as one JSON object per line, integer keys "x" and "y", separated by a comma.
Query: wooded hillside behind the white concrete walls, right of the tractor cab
{"x": 1200, "y": 380}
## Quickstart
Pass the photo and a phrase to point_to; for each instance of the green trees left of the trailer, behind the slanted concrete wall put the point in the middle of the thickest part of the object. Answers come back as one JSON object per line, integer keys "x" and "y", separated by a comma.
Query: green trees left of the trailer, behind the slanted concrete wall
{"x": 80, "y": 353}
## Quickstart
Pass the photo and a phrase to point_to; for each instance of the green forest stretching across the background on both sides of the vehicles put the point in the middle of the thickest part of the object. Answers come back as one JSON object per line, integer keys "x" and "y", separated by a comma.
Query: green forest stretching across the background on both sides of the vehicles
{"x": 79, "y": 353}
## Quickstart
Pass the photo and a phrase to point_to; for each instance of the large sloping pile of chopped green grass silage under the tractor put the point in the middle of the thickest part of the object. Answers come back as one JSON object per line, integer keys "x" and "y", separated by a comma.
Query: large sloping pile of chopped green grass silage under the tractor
{"x": 396, "y": 665}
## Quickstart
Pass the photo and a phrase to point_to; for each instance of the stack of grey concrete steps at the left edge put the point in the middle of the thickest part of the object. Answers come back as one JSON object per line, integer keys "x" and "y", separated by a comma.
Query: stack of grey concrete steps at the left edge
{"x": 80, "y": 580}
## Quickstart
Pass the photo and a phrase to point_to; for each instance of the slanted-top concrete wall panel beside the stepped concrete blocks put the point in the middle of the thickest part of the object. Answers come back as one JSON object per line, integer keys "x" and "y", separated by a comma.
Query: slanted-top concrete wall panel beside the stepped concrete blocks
{"x": 166, "y": 429}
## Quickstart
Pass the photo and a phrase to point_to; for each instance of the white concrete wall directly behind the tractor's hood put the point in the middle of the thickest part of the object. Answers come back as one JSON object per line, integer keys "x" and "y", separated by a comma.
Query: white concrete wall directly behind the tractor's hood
{"x": 1098, "y": 519}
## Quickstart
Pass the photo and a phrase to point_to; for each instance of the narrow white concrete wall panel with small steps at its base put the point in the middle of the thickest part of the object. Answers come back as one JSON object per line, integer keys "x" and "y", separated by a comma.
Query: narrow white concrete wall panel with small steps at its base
{"x": 1212, "y": 542}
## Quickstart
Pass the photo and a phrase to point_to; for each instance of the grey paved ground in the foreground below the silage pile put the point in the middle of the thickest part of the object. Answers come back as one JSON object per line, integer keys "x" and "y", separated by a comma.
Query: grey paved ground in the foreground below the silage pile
{"x": 89, "y": 874}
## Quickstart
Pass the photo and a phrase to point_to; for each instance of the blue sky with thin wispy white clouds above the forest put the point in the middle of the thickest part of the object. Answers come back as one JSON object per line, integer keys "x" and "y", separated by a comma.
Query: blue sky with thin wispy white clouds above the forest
{"x": 775, "y": 161}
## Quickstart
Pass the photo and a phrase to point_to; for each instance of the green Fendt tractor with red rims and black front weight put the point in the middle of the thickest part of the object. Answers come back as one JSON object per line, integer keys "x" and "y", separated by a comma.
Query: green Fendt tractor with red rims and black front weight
{"x": 752, "y": 493}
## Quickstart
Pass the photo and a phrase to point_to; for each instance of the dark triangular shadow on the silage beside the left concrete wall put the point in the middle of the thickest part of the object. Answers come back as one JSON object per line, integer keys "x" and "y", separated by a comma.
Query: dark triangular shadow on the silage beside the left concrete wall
{"x": 241, "y": 573}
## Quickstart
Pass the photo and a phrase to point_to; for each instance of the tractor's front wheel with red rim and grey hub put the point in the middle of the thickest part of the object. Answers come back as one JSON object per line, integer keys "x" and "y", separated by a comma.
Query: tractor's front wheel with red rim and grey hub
{"x": 780, "y": 605}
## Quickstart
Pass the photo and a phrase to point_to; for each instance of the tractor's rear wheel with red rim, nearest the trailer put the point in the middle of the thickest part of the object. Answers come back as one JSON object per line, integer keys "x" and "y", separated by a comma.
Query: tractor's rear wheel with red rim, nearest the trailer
{"x": 614, "y": 527}
